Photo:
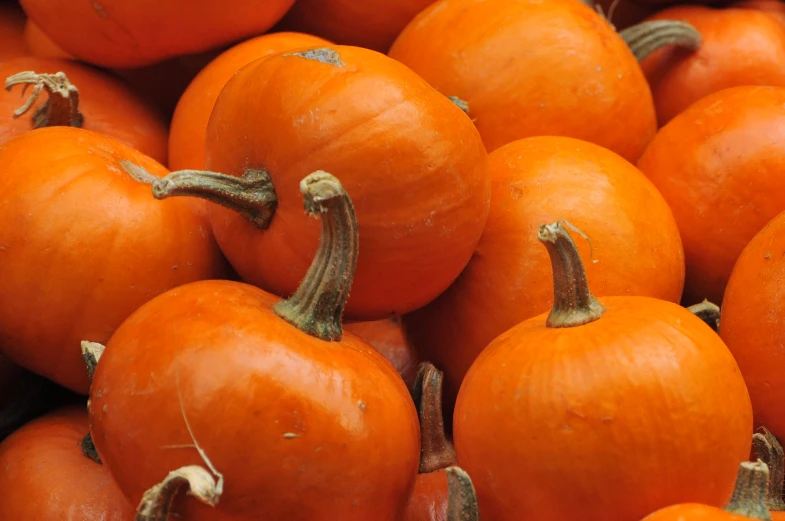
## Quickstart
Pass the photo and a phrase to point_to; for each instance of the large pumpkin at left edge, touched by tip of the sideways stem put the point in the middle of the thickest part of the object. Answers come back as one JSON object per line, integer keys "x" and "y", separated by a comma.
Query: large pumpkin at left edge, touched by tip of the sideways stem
{"x": 84, "y": 245}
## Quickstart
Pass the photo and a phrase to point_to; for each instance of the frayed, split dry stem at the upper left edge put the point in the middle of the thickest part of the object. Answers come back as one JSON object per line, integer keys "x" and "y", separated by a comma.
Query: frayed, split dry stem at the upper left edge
{"x": 61, "y": 109}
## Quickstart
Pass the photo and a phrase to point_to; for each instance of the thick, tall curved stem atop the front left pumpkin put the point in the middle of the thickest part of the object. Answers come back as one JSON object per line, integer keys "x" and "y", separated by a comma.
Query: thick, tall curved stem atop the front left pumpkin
{"x": 317, "y": 305}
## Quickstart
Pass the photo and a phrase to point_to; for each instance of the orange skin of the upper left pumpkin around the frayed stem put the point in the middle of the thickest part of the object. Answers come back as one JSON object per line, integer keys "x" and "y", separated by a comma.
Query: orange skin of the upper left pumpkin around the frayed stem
{"x": 108, "y": 106}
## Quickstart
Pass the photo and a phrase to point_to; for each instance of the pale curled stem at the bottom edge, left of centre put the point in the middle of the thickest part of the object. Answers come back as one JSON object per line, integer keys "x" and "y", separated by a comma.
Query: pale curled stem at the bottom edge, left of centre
{"x": 156, "y": 503}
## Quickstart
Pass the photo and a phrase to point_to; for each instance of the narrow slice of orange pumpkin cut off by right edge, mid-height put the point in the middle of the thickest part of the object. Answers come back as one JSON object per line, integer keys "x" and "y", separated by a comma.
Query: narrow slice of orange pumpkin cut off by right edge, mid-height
{"x": 752, "y": 321}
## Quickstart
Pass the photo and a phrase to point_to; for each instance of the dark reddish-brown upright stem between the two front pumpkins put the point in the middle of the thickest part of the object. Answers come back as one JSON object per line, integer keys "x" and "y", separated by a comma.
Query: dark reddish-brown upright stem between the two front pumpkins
{"x": 436, "y": 452}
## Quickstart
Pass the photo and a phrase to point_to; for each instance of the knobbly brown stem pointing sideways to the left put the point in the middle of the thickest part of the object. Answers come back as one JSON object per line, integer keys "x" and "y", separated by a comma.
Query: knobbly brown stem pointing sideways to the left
{"x": 252, "y": 195}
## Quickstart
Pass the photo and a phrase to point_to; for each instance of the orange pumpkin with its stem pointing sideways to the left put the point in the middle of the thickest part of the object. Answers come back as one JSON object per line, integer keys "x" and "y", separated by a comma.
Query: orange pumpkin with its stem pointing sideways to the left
{"x": 411, "y": 160}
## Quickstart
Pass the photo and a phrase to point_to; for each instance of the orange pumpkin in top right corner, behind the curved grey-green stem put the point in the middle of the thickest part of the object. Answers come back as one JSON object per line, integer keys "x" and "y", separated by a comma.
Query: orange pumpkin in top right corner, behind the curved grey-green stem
{"x": 738, "y": 47}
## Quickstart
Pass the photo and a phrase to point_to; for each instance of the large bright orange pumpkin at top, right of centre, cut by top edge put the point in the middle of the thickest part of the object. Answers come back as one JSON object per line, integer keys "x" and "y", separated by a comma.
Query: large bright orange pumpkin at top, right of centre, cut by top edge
{"x": 523, "y": 74}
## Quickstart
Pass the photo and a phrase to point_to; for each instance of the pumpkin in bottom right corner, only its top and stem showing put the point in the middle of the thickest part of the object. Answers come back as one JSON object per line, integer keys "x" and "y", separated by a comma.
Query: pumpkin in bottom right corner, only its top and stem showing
{"x": 748, "y": 502}
